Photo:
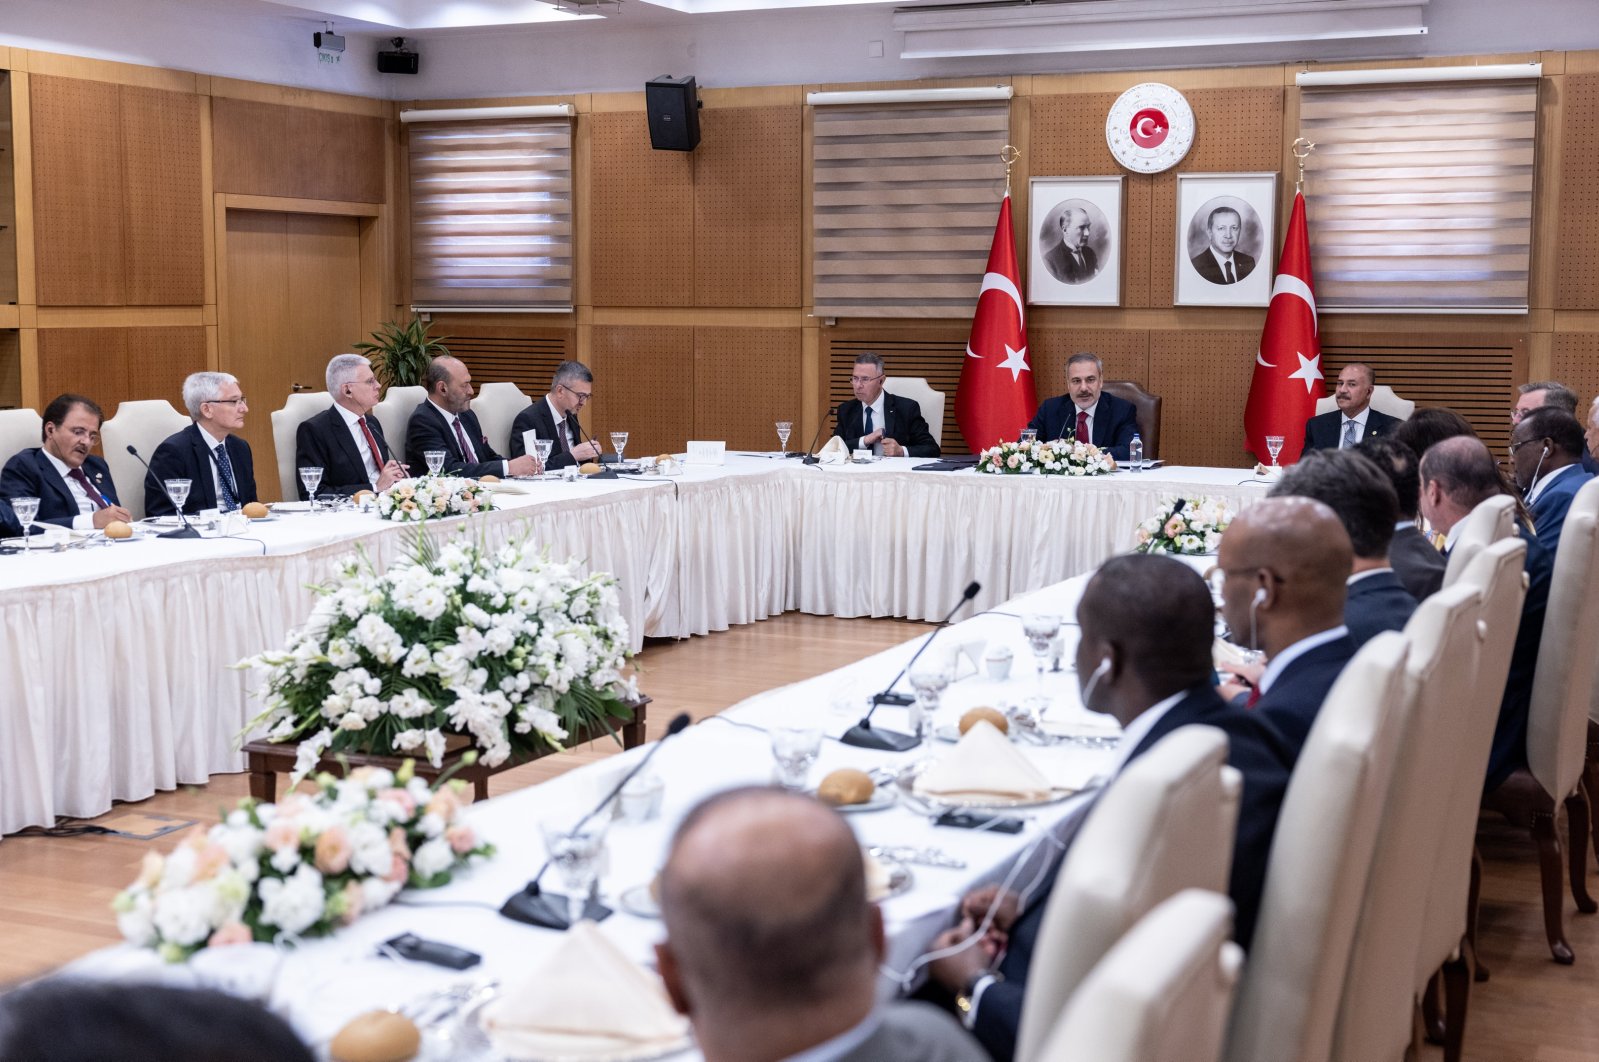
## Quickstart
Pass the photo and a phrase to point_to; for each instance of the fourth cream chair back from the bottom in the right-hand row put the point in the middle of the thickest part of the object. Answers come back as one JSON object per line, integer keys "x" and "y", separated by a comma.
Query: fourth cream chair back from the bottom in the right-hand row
{"x": 1379, "y": 989}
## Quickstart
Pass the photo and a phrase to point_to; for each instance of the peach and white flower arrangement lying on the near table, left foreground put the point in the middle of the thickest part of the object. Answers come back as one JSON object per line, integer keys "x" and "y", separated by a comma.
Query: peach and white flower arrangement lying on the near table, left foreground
{"x": 303, "y": 866}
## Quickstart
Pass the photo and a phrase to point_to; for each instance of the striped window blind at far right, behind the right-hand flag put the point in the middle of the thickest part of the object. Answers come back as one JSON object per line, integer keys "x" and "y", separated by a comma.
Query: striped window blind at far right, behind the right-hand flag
{"x": 1421, "y": 196}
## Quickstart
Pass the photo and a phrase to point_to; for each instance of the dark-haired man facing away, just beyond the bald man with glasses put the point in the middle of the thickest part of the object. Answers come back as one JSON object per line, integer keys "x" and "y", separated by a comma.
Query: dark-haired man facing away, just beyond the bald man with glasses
{"x": 1352, "y": 485}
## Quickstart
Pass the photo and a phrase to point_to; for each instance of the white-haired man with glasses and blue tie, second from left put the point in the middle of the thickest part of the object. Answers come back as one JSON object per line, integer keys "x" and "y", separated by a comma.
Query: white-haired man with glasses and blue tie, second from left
{"x": 217, "y": 463}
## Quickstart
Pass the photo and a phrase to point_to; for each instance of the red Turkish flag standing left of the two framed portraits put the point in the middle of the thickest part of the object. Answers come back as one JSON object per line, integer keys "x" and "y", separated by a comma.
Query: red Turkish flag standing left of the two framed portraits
{"x": 997, "y": 399}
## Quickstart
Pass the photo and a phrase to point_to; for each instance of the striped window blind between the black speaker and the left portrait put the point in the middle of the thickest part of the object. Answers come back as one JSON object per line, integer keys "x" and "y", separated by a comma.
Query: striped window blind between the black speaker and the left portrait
{"x": 904, "y": 207}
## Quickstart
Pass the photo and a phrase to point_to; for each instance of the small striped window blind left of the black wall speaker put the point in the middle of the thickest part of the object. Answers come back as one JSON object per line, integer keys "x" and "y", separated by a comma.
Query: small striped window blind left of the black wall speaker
{"x": 492, "y": 215}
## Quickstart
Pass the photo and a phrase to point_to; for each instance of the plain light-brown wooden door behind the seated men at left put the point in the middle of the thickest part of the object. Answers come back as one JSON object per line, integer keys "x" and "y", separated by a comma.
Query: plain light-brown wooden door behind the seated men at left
{"x": 293, "y": 301}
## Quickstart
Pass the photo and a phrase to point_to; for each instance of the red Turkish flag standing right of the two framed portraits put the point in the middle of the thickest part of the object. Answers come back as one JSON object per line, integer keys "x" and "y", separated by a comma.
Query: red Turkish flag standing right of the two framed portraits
{"x": 1288, "y": 365}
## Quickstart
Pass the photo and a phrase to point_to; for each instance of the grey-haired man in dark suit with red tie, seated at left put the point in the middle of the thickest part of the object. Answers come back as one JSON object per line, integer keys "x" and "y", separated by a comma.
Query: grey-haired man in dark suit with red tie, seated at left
{"x": 346, "y": 441}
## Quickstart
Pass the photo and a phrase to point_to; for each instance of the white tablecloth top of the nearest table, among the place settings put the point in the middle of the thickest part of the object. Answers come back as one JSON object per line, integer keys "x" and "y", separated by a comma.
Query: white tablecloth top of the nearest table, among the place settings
{"x": 327, "y": 983}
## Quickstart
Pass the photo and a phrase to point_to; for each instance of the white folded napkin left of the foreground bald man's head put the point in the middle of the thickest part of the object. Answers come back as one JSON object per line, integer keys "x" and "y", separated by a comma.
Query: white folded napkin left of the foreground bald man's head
{"x": 586, "y": 1002}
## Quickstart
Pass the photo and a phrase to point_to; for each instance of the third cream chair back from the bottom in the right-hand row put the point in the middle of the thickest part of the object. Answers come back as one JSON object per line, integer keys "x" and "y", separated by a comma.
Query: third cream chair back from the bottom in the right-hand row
{"x": 1322, "y": 856}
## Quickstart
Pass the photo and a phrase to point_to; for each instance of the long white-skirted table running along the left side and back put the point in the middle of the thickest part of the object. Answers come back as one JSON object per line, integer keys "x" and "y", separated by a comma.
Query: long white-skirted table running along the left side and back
{"x": 116, "y": 676}
